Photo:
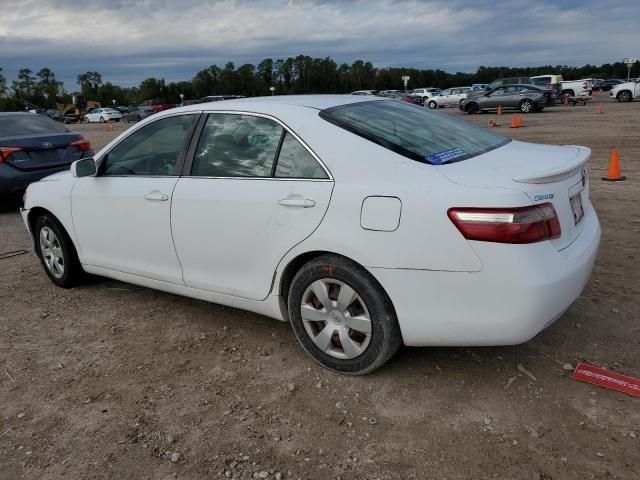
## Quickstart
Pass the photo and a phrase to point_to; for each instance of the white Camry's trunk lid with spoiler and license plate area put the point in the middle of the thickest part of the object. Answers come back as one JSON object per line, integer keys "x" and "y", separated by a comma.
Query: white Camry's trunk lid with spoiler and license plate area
{"x": 545, "y": 173}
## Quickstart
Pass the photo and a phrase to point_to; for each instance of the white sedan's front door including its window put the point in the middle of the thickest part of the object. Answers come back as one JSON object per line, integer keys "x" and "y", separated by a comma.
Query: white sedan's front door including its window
{"x": 121, "y": 216}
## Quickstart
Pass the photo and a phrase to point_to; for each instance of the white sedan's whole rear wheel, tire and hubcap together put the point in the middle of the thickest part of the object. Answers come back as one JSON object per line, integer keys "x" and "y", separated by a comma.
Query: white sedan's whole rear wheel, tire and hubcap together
{"x": 342, "y": 317}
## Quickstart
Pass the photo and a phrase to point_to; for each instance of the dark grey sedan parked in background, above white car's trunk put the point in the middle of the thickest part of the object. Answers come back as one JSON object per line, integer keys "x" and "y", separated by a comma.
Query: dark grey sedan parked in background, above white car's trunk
{"x": 524, "y": 98}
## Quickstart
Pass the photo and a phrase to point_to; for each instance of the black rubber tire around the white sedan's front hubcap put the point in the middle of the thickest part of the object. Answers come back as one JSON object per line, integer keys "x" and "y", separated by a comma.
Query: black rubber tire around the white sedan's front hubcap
{"x": 72, "y": 270}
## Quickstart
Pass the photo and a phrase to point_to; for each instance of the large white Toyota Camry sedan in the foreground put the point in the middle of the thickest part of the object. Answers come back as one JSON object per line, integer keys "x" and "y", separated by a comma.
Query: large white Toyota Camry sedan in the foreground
{"x": 365, "y": 222}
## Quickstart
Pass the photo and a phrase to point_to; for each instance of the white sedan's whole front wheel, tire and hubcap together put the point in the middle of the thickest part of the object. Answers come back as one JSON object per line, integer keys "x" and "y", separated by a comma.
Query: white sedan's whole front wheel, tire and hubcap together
{"x": 56, "y": 252}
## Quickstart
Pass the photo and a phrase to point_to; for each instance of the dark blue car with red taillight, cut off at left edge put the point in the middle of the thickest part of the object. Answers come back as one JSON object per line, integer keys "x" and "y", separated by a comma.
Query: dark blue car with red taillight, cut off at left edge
{"x": 33, "y": 146}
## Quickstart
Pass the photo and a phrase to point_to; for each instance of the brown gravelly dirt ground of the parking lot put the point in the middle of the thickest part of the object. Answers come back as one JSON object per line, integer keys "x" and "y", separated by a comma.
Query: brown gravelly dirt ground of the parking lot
{"x": 114, "y": 381}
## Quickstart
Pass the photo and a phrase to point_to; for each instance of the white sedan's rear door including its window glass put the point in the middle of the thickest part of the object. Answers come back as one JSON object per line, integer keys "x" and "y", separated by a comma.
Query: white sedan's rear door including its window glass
{"x": 252, "y": 192}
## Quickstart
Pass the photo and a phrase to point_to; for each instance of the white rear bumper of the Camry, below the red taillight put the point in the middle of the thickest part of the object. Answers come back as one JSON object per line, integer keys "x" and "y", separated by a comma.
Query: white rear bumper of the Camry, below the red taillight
{"x": 520, "y": 291}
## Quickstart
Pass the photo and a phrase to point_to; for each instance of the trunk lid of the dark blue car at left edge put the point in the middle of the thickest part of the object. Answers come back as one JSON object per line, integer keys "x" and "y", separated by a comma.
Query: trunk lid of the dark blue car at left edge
{"x": 43, "y": 151}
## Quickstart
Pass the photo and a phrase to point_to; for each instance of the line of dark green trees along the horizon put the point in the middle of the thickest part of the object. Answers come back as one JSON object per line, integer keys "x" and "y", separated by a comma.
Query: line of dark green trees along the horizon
{"x": 294, "y": 75}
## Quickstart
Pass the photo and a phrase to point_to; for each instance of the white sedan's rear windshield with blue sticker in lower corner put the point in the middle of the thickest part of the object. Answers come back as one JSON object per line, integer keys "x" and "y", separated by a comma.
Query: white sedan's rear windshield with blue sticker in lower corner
{"x": 415, "y": 132}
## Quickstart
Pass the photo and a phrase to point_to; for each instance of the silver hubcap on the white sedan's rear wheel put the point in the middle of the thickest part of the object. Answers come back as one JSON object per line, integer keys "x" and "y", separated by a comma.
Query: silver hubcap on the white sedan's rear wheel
{"x": 336, "y": 318}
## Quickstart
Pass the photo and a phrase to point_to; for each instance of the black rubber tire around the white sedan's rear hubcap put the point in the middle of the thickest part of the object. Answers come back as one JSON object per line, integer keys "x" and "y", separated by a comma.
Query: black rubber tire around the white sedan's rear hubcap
{"x": 385, "y": 337}
